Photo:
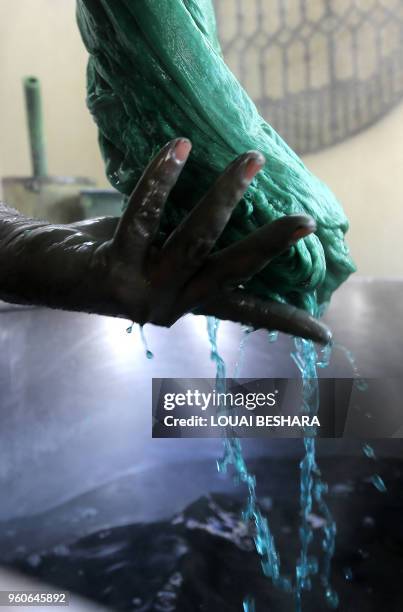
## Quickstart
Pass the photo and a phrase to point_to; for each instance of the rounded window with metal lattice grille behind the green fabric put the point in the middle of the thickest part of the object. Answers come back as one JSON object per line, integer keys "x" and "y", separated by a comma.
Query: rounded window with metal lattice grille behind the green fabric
{"x": 318, "y": 70}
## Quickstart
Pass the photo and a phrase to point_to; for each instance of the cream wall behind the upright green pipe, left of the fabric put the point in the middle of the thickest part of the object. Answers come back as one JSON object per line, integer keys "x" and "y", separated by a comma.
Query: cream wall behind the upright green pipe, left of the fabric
{"x": 40, "y": 37}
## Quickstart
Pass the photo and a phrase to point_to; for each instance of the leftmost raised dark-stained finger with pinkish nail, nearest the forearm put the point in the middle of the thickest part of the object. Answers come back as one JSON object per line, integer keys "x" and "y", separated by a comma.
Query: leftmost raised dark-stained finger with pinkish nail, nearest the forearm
{"x": 140, "y": 222}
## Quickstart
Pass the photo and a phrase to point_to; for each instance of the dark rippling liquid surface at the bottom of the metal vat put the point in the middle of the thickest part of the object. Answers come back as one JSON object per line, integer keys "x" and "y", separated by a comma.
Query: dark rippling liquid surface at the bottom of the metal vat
{"x": 203, "y": 558}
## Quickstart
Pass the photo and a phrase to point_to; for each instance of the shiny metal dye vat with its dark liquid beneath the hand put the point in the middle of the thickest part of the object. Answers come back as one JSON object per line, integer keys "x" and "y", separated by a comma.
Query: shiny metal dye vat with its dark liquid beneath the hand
{"x": 97, "y": 506}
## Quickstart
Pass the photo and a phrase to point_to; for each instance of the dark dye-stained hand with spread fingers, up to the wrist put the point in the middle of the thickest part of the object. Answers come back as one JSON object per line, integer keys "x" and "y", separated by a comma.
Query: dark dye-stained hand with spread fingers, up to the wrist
{"x": 144, "y": 283}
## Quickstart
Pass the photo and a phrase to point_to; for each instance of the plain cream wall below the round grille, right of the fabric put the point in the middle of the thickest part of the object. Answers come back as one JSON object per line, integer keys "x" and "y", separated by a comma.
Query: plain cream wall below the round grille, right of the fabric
{"x": 366, "y": 172}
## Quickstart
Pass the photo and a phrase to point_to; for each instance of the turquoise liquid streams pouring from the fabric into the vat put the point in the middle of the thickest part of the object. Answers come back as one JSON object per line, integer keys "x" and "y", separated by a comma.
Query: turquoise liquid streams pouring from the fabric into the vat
{"x": 312, "y": 488}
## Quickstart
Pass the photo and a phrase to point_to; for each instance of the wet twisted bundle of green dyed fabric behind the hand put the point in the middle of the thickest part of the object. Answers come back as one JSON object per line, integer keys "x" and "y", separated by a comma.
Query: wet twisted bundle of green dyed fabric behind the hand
{"x": 156, "y": 72}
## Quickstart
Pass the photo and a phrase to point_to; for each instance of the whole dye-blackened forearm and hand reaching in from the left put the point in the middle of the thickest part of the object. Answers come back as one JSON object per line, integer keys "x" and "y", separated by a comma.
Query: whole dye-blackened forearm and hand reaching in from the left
{"x": 112, "y": 267}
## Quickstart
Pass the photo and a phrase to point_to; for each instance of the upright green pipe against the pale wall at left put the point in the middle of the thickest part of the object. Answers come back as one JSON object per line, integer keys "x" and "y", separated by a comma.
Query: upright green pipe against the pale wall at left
{"x": 33, "y": 102}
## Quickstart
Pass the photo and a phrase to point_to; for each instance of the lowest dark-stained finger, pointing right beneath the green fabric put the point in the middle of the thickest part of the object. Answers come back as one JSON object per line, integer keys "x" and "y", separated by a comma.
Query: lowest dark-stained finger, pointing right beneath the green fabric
{"x": 248, "y": 310}
